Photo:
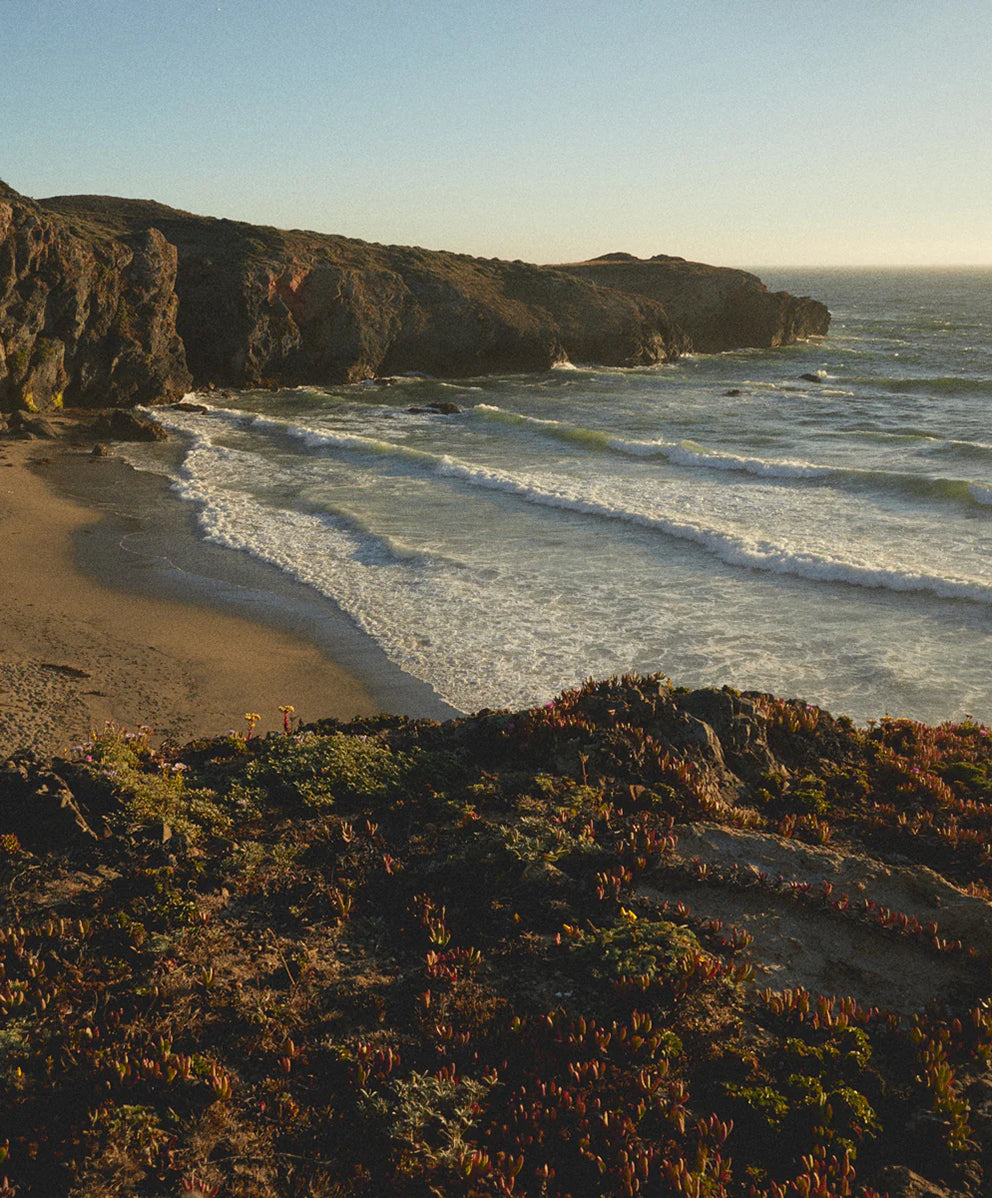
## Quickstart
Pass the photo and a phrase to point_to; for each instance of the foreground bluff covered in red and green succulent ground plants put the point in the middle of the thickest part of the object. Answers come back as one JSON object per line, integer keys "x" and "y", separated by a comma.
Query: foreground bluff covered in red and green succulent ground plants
{"x": 639, "y": 941}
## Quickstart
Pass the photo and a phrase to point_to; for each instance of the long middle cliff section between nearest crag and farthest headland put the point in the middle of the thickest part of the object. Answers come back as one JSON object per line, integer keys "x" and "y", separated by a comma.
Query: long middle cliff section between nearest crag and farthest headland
{"x": 261, "y": 304}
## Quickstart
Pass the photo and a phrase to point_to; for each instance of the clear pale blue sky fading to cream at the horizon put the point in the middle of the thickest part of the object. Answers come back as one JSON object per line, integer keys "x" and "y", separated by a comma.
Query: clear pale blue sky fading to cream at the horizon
{"x": 739, "y": 132}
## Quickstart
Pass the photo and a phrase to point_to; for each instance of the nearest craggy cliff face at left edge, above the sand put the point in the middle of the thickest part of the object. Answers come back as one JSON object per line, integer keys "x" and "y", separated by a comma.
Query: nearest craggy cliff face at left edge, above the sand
{"x": 84, "y": 317}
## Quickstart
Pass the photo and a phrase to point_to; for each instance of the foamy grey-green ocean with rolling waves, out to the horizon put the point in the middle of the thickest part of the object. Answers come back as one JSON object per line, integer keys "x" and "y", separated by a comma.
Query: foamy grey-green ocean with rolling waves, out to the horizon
{"x": 723, "y": 521}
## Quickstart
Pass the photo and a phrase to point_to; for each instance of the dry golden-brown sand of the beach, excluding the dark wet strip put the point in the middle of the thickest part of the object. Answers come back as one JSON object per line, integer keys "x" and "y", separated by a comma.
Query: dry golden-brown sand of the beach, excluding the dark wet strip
{"x": 76, "y": 654}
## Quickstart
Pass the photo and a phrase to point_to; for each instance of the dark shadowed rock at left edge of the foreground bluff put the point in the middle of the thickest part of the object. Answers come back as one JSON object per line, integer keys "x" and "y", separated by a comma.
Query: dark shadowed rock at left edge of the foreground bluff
{"x": 39, "y": 808}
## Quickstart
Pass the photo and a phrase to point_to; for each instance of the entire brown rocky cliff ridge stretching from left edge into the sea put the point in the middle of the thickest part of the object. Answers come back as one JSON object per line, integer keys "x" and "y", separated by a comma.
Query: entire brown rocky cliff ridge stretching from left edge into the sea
{"x": 112, "y": 301}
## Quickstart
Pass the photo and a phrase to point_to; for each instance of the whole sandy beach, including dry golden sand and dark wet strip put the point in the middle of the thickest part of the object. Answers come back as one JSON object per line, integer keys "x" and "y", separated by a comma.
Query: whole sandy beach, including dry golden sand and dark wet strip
{"x": 111, "y": 609}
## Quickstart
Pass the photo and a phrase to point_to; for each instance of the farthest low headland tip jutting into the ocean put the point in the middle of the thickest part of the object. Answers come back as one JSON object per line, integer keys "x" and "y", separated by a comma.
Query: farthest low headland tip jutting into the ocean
{"x": 717, "y": 308}
